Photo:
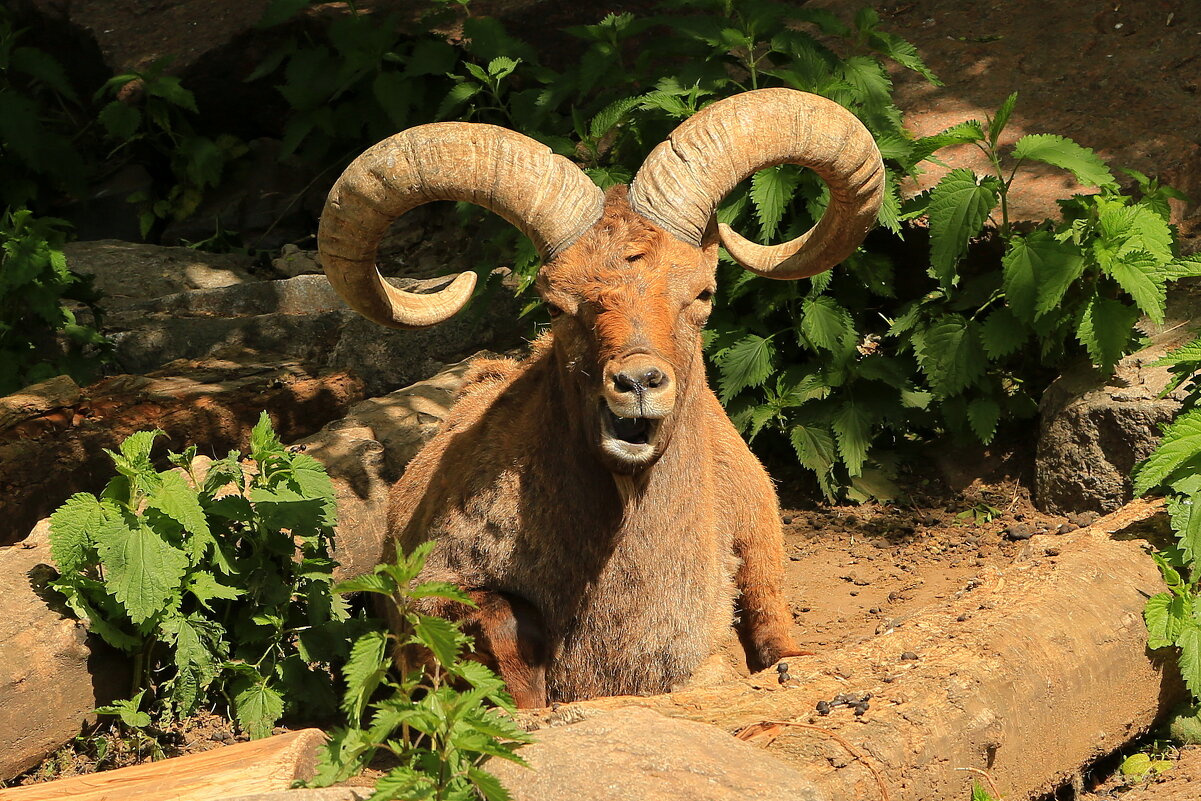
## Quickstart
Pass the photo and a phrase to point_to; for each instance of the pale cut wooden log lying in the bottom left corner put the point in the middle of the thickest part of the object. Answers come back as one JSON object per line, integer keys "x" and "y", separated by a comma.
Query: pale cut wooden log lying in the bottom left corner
{"x": 244, "y": 769}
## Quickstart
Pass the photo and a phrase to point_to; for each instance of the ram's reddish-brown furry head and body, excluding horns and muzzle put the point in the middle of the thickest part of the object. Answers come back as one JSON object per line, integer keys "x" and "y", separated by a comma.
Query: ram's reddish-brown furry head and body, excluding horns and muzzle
{"x": 628, "y": 577}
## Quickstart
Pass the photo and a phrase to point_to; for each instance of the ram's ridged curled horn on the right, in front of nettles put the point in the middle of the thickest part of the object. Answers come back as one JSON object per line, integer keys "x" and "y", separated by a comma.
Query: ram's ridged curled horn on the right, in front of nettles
{"x": 684, "y": 180}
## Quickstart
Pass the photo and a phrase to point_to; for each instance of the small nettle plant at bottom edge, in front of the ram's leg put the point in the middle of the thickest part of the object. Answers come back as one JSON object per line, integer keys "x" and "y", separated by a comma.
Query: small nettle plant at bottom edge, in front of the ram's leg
{"x": 432, "y": 718}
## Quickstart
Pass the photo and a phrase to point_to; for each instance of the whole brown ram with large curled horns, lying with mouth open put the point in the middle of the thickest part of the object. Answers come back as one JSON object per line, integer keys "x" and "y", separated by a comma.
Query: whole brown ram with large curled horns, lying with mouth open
{"x": 594, "y": 499}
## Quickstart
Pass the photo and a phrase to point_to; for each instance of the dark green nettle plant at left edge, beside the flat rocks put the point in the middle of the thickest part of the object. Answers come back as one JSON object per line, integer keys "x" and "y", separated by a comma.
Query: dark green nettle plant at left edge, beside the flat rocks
{"x": 40, "y": 337}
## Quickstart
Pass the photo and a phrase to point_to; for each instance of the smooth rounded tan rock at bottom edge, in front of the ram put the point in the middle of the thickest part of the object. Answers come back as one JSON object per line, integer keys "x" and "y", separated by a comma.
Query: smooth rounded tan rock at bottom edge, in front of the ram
{"x": 638, "y": 754}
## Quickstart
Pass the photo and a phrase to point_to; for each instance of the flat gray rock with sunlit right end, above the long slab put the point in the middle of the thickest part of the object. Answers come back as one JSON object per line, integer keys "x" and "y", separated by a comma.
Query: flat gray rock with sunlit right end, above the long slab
{"x": 127, "y": 272}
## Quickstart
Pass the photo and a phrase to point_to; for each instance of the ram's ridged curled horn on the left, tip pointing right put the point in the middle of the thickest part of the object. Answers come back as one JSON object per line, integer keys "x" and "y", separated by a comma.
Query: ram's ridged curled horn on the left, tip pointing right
{"x": 548, "y": 198}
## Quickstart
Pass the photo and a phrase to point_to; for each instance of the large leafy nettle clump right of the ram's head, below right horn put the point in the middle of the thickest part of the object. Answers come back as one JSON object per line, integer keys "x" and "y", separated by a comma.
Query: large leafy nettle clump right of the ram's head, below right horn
{"x": 876, "y": 357}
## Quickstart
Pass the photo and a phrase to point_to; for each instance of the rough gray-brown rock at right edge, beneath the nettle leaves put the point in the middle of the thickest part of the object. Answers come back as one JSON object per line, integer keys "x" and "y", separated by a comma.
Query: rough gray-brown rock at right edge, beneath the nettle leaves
{"x": 1094, "y": 432}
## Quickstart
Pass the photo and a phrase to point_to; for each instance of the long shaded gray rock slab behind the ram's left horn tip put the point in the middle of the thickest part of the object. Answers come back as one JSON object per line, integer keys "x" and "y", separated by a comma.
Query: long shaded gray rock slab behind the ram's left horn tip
{"x": 303, "y": 319}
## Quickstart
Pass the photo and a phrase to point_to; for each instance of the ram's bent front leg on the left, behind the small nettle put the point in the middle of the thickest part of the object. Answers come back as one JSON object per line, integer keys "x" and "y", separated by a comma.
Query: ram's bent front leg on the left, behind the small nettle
{"x": 510, "y": 638}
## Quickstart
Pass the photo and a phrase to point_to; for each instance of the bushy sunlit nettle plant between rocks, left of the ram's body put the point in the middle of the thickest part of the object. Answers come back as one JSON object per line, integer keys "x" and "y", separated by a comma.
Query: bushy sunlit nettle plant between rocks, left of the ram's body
{"x": 217, "y": 581}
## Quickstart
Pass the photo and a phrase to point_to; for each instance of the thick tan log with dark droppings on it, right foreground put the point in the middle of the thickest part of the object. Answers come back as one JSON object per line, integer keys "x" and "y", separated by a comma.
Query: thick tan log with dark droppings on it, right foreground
{"x": 1031, "y": 677}
